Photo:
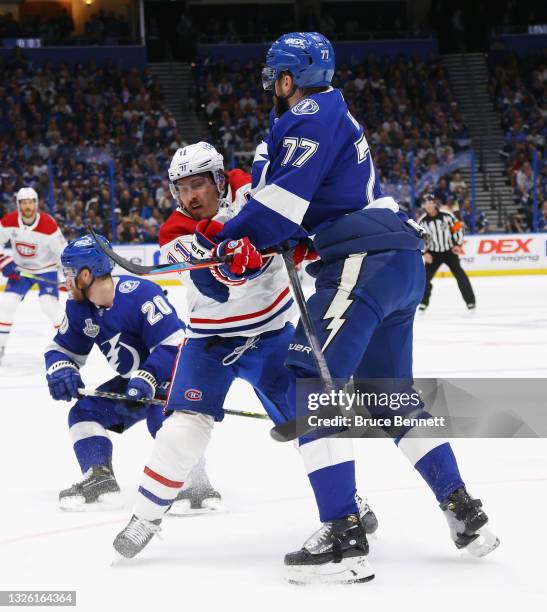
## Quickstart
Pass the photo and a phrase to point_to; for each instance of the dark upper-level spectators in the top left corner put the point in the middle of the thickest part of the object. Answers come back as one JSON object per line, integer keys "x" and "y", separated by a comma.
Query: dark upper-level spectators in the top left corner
{"x": 102, "y": 28}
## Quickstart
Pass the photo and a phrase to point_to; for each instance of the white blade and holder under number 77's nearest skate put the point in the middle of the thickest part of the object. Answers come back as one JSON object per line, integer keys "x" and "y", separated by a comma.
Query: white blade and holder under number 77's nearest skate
{"x": 350, "y": 570}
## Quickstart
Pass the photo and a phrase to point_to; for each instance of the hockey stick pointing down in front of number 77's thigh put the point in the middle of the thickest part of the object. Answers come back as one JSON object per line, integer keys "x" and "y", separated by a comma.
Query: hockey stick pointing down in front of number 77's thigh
{"x": 284, "y": 432}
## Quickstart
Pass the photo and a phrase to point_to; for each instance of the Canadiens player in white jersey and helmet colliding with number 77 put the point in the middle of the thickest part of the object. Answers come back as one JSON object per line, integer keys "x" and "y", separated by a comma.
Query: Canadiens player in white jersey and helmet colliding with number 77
{"x": 237, "y": 328}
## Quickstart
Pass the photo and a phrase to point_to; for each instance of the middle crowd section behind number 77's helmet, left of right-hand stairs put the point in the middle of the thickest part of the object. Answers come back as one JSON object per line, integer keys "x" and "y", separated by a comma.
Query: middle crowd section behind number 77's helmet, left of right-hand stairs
{"x": 407, "y": 107}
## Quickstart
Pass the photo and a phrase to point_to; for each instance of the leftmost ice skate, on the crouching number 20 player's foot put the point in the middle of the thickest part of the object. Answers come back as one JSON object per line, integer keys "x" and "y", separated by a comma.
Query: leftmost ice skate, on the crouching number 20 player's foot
{"x": 97, "y": 491}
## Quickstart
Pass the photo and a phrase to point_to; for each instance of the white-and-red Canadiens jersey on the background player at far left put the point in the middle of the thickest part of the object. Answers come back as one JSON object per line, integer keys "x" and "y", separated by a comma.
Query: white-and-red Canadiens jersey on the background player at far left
{"x": 36, "y": 248}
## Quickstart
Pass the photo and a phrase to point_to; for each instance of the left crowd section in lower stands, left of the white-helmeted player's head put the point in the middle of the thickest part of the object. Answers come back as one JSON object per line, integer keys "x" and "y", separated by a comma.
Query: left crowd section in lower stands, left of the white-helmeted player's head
{"x": 76, "y": 120}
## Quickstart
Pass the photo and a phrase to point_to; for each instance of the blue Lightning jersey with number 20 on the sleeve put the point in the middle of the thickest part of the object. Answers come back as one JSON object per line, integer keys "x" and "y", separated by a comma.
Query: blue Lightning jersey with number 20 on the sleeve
{"x": 140, "y": 331}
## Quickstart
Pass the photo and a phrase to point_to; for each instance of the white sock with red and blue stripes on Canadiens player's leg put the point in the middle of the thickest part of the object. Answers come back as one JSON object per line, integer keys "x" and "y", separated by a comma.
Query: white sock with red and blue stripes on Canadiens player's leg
{"x": 178, "y": 446}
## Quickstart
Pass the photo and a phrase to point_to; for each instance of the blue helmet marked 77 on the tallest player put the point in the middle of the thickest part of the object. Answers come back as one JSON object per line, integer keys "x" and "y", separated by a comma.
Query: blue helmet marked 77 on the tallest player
{"x": 308, "y": 56}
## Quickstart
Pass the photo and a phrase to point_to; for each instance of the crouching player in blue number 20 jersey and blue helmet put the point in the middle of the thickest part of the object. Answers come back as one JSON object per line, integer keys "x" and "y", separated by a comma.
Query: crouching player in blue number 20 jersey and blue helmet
{"x": 139, "y": 332}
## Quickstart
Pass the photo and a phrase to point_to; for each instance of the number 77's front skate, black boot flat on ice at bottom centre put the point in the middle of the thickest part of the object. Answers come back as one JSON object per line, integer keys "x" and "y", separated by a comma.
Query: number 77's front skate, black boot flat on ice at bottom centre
{"x": 335, "y": 554}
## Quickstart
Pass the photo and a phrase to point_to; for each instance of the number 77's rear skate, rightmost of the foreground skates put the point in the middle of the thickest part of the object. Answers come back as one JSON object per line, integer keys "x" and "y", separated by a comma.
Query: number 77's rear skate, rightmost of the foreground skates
{"x": 467, "y": 522}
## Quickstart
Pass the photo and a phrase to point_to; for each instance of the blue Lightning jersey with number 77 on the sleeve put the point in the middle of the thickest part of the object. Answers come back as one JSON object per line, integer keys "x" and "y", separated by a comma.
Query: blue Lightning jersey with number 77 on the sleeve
{"x": 319, "y": 168}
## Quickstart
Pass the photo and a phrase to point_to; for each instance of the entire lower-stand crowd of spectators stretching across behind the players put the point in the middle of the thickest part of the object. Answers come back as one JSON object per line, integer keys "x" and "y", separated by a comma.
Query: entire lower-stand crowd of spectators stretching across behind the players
{"x": 71, "y": 122}
